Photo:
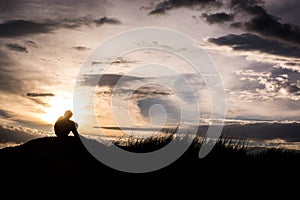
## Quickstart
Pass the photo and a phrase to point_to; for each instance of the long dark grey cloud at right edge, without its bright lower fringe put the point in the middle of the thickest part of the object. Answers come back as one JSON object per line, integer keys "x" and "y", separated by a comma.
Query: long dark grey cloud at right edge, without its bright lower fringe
{"x": 251, "y": 42}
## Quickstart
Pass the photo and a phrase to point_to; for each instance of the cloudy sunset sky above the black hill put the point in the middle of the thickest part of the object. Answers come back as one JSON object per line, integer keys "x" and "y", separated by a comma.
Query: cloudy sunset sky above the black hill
{"x": 254, "y": 44}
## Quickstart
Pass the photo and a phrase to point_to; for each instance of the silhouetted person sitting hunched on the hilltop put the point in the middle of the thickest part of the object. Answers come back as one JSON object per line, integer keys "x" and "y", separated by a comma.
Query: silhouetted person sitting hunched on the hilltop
{"x": 63, "y": 126}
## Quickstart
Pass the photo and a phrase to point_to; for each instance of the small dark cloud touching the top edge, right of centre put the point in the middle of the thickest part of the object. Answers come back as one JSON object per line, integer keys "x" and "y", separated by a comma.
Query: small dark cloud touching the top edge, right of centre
{"x": 163, "y": 6}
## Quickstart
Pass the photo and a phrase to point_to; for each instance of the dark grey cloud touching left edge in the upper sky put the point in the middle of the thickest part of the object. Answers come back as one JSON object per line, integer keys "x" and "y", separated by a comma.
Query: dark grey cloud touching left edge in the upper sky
{"x": 15, "y": 28}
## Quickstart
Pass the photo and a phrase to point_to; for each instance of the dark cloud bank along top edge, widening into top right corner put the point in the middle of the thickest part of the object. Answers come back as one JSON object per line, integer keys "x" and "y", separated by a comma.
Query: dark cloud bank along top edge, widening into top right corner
{"x": 250, "y": 15}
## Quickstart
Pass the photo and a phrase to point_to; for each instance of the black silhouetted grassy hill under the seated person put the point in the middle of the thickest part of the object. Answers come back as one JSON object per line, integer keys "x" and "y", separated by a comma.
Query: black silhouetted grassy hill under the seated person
{"x": 51, "y": 164}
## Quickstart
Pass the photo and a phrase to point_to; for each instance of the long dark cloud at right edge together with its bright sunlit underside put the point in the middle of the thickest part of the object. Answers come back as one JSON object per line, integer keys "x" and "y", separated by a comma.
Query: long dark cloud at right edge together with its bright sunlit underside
{"x": 257, "y": 48}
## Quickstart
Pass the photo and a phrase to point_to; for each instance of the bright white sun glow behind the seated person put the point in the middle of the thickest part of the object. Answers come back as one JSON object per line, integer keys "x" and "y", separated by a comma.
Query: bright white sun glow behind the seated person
{"x": 57, "y": 107}
